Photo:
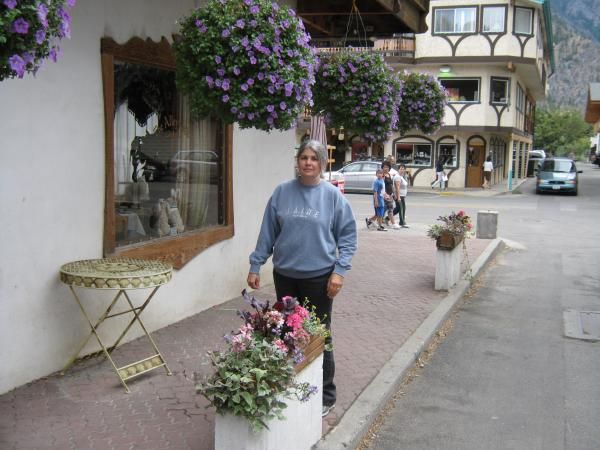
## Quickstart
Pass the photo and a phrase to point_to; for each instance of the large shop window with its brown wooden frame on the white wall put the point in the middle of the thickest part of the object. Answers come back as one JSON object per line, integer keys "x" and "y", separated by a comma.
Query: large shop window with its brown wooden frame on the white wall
{"x": 168, "y": 182}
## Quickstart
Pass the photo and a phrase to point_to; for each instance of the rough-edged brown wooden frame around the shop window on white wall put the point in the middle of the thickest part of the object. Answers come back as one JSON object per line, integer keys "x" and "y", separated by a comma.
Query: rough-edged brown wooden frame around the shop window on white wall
{"x": 180, "y": 249}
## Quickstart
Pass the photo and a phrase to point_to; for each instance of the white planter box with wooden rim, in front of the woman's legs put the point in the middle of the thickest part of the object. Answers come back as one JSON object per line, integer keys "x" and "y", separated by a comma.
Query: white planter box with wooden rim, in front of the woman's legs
{"x": 300, "y": 430}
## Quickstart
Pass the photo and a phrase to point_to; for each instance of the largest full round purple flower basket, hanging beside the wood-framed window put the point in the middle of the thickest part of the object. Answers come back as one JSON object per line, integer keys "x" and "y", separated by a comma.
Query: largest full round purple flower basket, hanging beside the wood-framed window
{"x": 246, "y": 61}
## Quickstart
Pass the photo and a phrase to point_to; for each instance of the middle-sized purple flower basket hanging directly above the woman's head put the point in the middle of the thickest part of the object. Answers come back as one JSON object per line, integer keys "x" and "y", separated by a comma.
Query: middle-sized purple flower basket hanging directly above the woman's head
{"x": 358, "y": 91}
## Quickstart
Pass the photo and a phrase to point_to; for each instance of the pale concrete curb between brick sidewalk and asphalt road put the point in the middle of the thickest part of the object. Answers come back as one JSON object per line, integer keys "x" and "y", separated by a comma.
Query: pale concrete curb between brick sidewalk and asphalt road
{"x": 357, "y": 420}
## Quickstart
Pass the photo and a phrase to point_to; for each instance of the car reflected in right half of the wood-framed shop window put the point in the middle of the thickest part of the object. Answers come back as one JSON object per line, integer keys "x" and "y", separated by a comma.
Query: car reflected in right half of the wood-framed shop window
{"x": 187, "y": 163}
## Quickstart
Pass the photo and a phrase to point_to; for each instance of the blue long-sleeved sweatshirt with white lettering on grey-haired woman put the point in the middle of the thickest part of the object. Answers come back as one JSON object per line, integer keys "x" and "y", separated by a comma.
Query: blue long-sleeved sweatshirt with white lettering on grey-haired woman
{"x": 309, "y": 230}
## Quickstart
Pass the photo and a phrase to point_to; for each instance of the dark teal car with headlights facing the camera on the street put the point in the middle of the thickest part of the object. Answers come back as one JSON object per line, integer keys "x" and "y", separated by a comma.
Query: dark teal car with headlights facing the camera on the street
{"x": 557, "y": 175}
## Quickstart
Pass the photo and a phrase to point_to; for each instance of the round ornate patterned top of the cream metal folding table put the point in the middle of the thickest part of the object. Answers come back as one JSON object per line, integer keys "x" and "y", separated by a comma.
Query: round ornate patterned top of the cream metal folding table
{"x": 116, "y": 273}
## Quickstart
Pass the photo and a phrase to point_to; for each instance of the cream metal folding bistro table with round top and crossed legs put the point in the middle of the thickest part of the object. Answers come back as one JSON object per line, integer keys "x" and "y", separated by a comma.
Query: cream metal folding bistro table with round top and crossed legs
{"x": 121, "y": 274}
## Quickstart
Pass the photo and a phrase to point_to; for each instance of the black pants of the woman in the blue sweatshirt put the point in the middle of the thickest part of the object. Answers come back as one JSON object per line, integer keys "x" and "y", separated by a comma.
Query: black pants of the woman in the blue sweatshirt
{"x": 315, "y": 290}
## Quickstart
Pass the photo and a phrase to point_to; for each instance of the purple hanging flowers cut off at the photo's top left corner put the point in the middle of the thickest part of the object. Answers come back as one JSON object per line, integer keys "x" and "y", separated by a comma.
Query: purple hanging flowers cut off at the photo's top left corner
{"x": 29, "y": 31}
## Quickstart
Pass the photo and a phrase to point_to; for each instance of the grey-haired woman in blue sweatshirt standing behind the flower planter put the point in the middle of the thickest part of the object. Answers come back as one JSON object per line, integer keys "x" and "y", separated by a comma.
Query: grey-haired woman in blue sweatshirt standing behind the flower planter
{"x": 309, "y": 228}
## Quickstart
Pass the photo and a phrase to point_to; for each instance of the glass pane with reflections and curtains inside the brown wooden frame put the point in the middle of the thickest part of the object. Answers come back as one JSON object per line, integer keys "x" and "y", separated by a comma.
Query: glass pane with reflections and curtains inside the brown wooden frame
{"x": 168, "y": 165}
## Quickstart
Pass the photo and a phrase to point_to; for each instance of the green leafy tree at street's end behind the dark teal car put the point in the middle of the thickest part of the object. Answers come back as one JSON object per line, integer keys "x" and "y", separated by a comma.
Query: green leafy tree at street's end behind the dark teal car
{"x": 562, "y": 131}
